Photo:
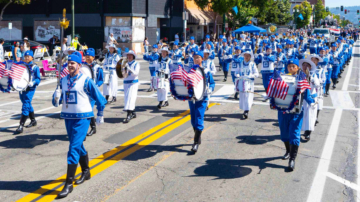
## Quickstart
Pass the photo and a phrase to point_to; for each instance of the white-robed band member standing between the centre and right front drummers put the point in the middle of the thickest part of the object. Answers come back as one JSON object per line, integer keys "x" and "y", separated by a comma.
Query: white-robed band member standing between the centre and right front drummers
{"x": 247, "y": 72}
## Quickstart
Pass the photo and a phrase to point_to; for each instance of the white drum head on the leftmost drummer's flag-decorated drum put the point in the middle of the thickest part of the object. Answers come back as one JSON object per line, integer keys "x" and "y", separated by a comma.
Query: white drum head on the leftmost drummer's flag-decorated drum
{"x": 22, "y": 77}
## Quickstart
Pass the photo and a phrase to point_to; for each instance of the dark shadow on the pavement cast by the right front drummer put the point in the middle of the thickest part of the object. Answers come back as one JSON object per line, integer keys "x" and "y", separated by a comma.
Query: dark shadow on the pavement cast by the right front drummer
{"x": 233, "y": 168}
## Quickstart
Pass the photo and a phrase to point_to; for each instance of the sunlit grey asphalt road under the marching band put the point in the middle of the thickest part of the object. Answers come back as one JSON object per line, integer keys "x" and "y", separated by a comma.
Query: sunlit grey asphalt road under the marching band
{"x": 148, "y": 159}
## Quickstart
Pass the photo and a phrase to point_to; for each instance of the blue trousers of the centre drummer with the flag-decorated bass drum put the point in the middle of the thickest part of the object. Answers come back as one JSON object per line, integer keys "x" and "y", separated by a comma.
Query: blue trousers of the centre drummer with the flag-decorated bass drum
{"x": 197, "y": 112}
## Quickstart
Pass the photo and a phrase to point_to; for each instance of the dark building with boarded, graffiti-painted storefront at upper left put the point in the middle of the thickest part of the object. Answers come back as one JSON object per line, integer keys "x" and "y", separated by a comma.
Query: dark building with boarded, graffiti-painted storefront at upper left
{"x": 129, "y": 20}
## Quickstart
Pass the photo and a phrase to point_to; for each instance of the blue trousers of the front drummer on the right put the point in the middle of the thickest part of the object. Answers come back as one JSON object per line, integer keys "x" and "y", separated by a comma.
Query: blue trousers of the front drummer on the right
{"x": 290, "y": 127}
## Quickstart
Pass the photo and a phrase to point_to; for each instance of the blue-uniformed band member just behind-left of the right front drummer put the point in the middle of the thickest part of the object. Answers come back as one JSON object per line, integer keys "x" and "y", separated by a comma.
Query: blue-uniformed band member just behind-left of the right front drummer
{"x": 267, "y": 60}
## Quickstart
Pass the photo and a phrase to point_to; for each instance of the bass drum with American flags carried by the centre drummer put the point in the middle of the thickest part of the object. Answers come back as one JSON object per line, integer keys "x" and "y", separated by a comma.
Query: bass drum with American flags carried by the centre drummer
{"x": 187, "y": 83}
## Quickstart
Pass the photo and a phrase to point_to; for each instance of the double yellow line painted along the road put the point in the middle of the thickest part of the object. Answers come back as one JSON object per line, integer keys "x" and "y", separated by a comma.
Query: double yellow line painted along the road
{"x": 49, "y": 192}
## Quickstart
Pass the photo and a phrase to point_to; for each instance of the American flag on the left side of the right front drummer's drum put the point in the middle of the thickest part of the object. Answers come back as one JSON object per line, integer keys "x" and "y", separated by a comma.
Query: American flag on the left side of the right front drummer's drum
{"x": 278, "y": 88}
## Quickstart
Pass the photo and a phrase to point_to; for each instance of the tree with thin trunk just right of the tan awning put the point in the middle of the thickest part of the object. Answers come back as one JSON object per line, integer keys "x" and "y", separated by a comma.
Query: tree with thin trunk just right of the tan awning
{"x": 220, "y": 7}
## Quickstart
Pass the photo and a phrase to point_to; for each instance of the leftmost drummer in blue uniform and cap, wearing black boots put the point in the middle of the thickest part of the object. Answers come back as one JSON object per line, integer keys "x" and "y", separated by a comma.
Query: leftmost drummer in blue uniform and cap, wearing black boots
{"x": 26, "y": 96}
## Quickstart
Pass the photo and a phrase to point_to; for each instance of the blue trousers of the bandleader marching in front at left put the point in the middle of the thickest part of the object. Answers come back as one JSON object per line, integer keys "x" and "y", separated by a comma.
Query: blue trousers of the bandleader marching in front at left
{"x": 77, "y": 130}
